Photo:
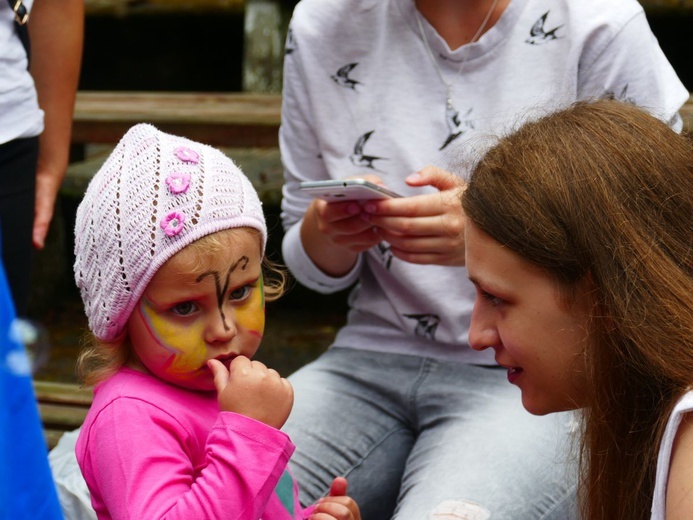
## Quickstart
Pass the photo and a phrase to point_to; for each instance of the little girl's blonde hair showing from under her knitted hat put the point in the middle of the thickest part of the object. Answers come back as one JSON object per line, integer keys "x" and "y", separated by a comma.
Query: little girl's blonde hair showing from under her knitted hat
{"x": 99, "y": 360}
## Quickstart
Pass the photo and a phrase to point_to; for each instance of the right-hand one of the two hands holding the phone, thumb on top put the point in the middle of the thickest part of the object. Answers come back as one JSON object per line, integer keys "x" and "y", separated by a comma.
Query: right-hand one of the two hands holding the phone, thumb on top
{"x": 423, "y": 229}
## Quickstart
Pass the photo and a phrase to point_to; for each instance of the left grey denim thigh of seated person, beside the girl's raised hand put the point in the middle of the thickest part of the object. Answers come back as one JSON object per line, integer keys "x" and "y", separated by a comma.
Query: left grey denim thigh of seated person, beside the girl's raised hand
{"x": 351, "y": 419}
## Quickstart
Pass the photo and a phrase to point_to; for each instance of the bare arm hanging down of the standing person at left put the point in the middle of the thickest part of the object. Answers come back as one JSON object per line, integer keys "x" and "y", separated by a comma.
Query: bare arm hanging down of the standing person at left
{"x": 56, "y": 31}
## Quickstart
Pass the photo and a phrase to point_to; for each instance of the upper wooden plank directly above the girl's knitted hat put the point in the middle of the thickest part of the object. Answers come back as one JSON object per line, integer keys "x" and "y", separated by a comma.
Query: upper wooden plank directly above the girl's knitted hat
{"x": 219, "y": 119}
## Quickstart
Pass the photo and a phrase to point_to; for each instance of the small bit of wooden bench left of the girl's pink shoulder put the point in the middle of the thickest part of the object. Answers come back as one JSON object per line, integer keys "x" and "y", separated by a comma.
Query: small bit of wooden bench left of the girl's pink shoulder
{"x": 62, "y": 406}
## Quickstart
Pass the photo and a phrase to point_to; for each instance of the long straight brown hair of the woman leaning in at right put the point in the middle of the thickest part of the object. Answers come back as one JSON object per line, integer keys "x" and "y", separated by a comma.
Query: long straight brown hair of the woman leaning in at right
{"x": 604, "y": 189}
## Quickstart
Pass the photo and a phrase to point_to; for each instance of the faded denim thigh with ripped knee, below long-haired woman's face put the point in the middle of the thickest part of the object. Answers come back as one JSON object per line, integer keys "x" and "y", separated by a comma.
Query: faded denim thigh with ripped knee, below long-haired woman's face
{"x": 477, "y": 449}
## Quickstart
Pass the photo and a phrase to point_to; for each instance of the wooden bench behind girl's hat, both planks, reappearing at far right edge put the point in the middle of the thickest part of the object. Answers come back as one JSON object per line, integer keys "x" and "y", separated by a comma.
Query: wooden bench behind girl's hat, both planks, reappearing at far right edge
{"x": 244, "y": 125}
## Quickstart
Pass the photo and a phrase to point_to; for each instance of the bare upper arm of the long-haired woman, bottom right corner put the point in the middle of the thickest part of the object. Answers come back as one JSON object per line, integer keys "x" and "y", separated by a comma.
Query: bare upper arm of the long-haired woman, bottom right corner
{"x": 680, "y": 485}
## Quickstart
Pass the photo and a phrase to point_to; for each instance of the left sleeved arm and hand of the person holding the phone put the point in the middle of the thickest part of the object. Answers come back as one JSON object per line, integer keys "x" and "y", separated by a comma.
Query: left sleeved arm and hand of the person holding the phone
{"x": 322, "y": 242}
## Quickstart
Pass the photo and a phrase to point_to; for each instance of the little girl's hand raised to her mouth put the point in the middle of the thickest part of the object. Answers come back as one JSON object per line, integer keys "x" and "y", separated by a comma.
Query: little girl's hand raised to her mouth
{"x": 251, "y": 389}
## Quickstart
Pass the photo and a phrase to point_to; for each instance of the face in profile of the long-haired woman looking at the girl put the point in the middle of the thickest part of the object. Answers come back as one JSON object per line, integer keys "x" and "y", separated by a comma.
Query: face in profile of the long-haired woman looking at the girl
{"x": 536, "y": 334}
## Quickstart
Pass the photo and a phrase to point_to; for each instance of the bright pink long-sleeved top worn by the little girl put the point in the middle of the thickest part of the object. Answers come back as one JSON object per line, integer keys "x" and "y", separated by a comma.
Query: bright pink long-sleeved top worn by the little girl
{"x": 151, "y": 450}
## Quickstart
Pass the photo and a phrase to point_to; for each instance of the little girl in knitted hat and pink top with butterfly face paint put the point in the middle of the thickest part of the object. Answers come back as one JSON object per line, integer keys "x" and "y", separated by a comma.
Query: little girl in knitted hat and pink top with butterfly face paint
{"x": 169, "y": 245}
